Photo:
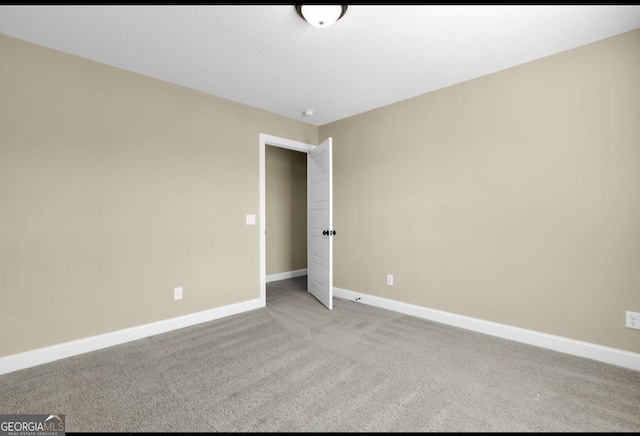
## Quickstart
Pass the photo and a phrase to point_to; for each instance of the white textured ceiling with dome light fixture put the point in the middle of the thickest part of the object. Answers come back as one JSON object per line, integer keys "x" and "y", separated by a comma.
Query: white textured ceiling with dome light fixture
{"x": 267, "y": 57}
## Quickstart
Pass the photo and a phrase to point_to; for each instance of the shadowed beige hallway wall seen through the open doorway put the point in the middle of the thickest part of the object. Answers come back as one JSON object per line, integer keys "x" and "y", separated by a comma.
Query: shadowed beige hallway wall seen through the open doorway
{"x": 286, "y": 209}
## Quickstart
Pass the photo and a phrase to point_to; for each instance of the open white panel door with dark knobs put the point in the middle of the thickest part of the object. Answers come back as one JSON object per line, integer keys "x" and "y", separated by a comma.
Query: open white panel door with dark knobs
{"x": 320, "y": 225}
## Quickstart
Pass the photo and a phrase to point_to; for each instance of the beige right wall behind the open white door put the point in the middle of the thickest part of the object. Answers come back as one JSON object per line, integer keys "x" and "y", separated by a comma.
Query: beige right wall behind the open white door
{"x": 512, "y": 198}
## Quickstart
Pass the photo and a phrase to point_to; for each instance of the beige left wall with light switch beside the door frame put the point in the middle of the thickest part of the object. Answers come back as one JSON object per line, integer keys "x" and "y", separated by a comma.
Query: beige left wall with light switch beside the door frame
{"x": 114, "y": 189}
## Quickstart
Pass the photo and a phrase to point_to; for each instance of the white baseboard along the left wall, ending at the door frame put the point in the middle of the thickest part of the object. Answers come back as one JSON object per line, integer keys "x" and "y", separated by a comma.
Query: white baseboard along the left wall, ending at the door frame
{"x": 28, "y": 359}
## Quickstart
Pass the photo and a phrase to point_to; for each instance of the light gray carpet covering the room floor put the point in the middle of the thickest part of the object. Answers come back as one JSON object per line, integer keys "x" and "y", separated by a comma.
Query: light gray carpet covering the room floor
{"x": 295, "y": 366}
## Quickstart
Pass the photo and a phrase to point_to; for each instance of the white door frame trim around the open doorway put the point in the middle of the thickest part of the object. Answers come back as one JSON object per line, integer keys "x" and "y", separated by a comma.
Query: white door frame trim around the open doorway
{"x": 274, "y": 141}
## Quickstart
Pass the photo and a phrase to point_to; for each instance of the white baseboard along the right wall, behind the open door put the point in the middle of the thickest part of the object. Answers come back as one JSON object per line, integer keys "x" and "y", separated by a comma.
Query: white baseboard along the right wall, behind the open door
{"x": 613, "y": 356}
